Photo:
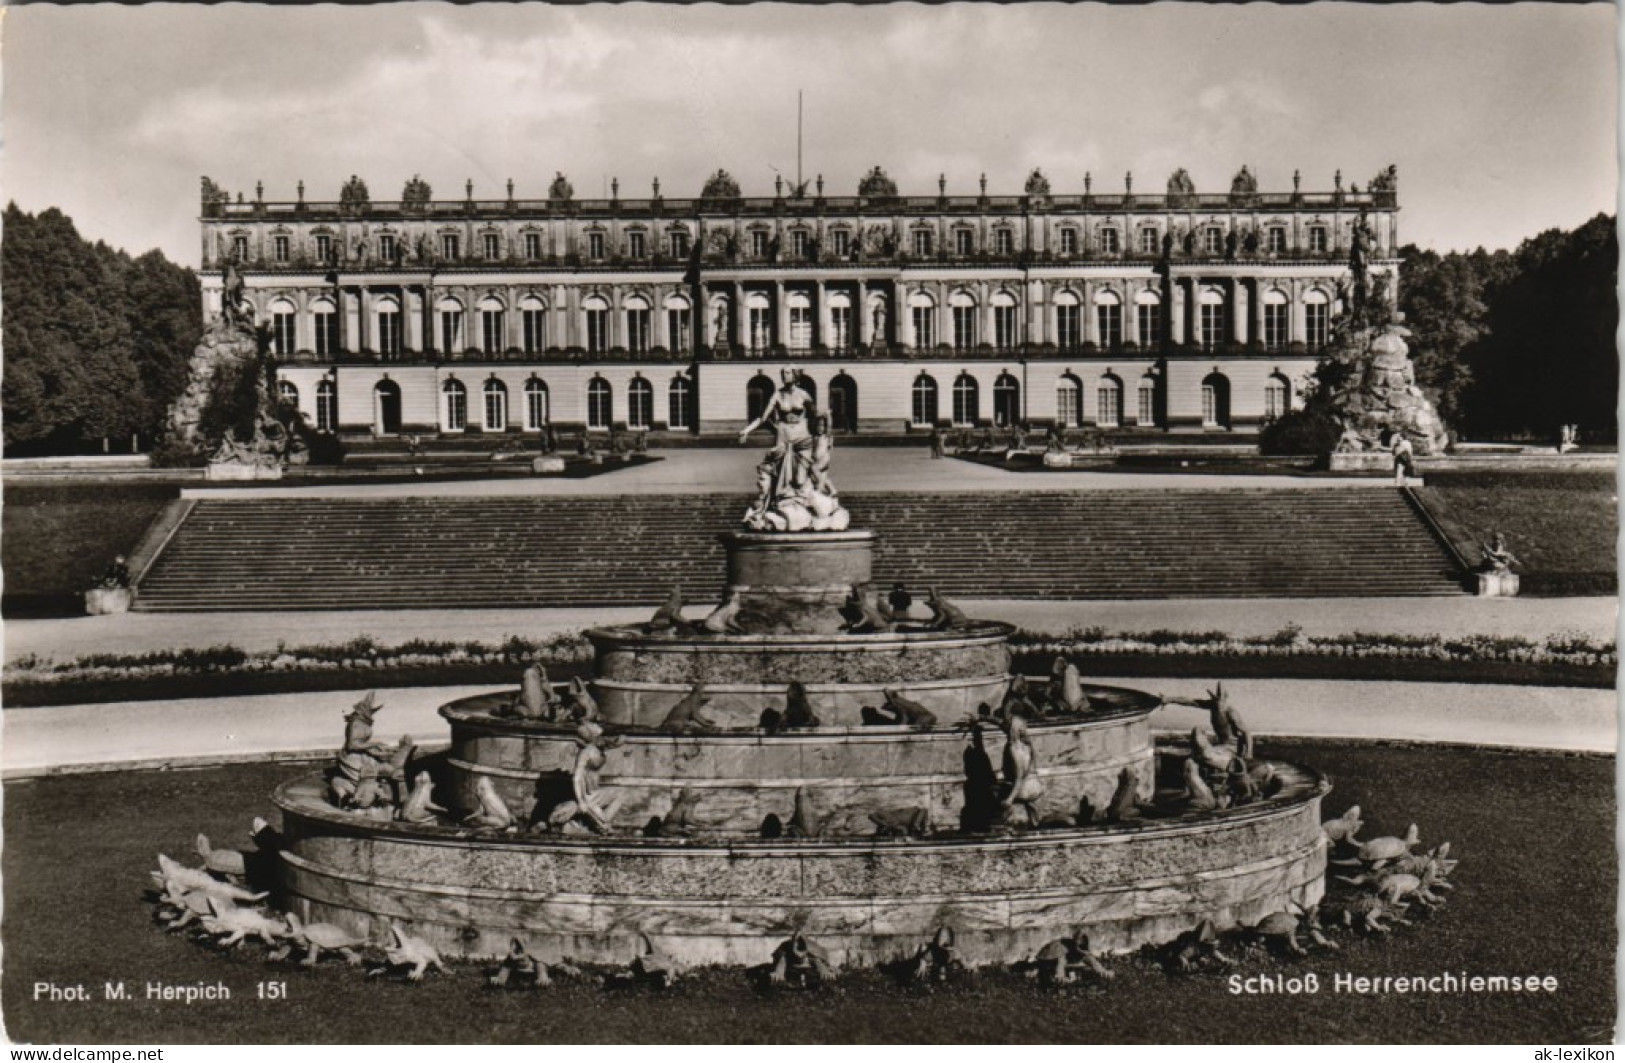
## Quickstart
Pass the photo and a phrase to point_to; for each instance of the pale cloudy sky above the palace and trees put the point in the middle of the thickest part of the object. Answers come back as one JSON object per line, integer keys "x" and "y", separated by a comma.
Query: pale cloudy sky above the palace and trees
{"x": 1502, "y": 119}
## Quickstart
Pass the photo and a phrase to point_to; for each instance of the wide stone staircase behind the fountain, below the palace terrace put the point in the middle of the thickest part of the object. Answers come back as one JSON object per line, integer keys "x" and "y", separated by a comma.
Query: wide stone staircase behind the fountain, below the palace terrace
{"x": 303, "y": 553}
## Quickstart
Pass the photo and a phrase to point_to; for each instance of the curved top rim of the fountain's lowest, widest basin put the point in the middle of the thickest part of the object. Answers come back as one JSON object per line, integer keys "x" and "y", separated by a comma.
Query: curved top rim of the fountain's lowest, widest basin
{"x": 1312, "y": 787}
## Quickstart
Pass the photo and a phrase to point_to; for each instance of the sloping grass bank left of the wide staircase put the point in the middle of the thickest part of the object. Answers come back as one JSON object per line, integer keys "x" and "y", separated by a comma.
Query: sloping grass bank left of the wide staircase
{"x": 56, "y": 540}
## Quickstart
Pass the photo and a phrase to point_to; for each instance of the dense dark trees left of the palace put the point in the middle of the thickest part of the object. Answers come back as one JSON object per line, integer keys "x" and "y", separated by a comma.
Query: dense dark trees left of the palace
{"x": 97, "y": 342}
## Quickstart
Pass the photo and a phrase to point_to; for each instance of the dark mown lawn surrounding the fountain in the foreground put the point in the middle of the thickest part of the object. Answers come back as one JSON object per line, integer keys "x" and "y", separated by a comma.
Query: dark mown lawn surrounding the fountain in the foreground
{"x": 1535, "y": 895}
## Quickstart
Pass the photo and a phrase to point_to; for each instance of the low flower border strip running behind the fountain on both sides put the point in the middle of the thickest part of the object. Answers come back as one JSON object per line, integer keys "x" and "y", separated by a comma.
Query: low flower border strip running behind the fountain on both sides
{"x": 1564, "y": 659}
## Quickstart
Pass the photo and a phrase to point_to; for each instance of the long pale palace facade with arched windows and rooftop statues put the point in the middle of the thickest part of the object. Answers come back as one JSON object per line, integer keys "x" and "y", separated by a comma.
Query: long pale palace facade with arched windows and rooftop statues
{"x": 1174, "y": 311}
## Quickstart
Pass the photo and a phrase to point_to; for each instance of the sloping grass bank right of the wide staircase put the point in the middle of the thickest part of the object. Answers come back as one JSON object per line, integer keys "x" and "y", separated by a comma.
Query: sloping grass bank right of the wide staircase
{"x": 1562, "y": 526}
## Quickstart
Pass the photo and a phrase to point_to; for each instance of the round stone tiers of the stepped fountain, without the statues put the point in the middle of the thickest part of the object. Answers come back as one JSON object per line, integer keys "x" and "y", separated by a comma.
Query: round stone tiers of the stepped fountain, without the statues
{"x": 729, "y": 895}
